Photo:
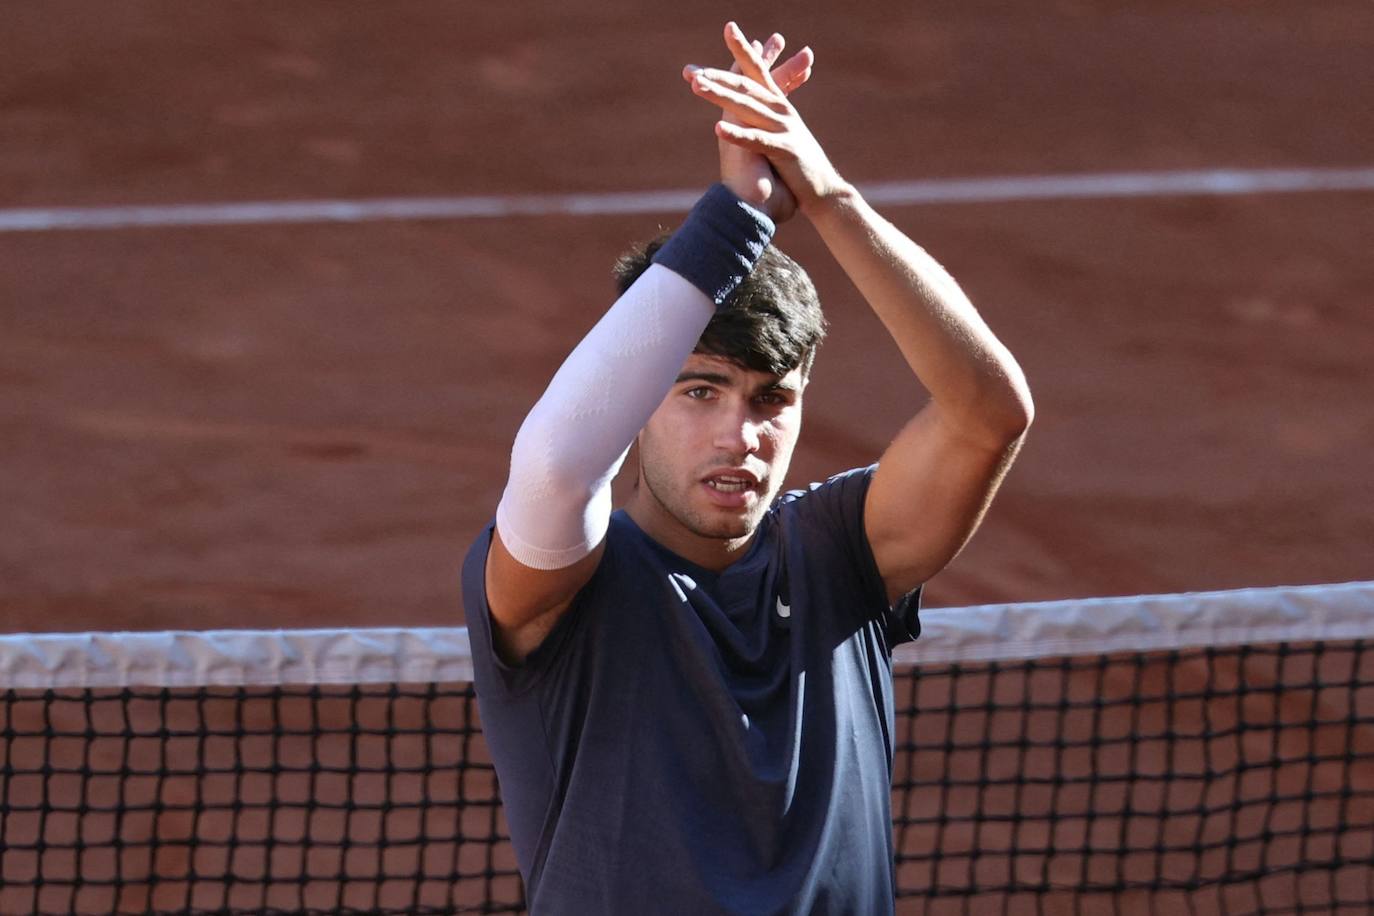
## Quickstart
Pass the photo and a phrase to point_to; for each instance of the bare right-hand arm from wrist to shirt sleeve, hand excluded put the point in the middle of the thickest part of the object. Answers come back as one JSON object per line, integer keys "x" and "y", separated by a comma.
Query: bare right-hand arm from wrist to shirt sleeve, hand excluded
{"x": 938, "y": 477}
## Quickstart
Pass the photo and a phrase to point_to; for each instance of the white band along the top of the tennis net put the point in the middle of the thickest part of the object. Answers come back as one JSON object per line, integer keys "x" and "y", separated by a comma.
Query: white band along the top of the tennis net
{"x": 443, "y": 654}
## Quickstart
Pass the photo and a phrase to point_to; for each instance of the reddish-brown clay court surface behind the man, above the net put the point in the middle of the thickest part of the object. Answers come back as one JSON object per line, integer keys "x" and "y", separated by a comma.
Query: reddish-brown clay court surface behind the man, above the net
{"x": 306, "y": 425}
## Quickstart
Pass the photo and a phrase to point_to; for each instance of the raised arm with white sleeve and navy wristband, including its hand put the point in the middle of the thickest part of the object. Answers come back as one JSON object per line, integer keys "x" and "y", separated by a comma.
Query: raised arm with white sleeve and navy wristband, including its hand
{"x": 553, "y": 517}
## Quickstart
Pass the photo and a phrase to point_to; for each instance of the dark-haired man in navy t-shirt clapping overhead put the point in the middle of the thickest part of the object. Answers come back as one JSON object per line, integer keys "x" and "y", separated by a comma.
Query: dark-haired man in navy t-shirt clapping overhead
{"x": 689, "y": 701}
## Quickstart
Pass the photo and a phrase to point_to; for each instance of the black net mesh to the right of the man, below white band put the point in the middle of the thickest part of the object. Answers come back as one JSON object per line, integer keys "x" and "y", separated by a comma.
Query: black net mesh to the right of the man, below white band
{"x": 1217, "y": 781}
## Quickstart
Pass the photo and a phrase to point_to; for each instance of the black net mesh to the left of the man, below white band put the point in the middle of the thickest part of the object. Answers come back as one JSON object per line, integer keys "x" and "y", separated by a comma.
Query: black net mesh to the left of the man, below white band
{"x": 286, "y": 800}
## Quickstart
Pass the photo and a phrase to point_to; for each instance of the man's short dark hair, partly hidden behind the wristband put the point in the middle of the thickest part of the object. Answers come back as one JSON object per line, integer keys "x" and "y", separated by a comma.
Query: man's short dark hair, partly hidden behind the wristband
{"x": 773, "y": 323}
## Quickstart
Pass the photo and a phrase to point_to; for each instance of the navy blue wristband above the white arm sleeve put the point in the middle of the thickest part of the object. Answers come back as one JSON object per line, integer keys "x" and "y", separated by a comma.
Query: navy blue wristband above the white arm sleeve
{"x": 718, "y": 245}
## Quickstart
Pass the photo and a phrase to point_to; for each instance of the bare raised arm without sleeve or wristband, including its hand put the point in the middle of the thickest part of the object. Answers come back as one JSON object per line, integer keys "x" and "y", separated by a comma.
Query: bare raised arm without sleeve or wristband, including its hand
{"x": 939, "y": 476}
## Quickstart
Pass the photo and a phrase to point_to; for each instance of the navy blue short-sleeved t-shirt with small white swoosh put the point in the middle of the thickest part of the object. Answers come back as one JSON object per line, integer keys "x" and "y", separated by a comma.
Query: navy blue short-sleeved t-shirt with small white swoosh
{"x": 696, "y": 742}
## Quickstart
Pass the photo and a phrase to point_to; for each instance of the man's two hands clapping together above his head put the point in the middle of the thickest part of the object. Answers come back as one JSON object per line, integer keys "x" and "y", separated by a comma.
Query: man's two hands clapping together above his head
{"x": 769, "y": 157}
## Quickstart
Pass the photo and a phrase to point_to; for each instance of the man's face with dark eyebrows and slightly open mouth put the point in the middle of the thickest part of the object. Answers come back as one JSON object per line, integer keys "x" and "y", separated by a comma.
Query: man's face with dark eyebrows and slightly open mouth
{"x": 717, "y": 451}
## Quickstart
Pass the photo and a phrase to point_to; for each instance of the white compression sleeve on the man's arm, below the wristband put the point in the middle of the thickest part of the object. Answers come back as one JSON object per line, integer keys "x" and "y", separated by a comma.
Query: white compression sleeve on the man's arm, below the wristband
{"x": 557, "y": 502}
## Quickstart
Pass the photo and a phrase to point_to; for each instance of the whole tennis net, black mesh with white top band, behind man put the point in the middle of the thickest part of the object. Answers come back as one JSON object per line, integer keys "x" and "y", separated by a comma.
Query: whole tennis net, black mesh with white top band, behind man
{"x": 1210, "y": 752}
